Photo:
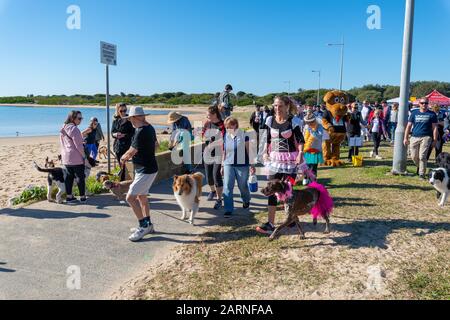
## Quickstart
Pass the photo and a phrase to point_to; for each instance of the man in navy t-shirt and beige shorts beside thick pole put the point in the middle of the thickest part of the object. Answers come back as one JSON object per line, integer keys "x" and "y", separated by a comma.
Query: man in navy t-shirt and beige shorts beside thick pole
{"x": 423, "y": 125}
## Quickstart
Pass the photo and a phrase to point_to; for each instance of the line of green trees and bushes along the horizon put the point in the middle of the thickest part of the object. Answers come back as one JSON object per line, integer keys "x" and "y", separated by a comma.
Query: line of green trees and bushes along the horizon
{"x": 368, "y": 92}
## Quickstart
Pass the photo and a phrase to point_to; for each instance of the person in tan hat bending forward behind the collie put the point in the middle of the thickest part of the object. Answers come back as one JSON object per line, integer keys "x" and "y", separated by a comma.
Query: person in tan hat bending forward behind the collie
{"x": 181, "y": 137}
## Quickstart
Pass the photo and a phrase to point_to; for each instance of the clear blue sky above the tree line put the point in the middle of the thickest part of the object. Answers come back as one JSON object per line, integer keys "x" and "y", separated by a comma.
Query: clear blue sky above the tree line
{"x": 200, "y": 45}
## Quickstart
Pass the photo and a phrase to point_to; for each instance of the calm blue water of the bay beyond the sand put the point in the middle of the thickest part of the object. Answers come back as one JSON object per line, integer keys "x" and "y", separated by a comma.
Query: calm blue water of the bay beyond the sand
{"x": 37, "y": 121}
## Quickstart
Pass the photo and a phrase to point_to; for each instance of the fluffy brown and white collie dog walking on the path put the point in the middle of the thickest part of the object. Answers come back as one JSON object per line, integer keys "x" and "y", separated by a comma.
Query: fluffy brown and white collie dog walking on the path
{"x": 188, "y": 190}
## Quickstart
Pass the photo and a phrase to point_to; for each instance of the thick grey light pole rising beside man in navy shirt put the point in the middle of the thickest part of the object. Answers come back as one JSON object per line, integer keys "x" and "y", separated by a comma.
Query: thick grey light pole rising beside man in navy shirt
{"x": 400, "y": 154}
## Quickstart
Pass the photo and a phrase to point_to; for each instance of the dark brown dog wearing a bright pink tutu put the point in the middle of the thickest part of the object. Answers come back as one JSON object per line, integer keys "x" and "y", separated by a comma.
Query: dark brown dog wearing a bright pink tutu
{"x": 314, "y": 200}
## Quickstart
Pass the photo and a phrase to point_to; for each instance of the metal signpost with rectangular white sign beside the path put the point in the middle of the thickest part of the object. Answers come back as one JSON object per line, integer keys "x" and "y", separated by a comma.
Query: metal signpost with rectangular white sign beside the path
{"x": 108, "y": 54}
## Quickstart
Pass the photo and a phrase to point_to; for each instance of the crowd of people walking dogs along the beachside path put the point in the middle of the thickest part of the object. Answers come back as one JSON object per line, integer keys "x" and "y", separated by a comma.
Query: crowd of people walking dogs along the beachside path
{"x": 288, "y": 144}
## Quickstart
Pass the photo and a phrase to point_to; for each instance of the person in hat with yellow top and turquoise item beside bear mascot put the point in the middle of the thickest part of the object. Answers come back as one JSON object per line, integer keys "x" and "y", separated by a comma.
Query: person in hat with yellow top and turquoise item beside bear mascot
{"x": 313, "y": 143}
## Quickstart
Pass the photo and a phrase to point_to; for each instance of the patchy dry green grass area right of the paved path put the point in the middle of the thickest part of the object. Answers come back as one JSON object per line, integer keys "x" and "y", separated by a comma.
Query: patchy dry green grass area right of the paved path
{"x": 374, "y": 211}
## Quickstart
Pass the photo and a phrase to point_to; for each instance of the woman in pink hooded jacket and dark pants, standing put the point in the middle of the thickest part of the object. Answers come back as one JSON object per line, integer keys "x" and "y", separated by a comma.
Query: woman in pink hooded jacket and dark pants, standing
{"x": 73, "y": 156}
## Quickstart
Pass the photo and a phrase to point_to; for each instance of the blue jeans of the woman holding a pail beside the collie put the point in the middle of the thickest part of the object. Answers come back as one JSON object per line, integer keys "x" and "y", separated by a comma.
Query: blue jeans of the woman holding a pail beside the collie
{"x": 231, "y": 174}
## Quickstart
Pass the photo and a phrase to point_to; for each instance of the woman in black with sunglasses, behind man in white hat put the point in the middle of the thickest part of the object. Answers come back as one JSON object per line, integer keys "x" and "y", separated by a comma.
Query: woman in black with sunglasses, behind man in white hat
{"x": 122, "y": 131}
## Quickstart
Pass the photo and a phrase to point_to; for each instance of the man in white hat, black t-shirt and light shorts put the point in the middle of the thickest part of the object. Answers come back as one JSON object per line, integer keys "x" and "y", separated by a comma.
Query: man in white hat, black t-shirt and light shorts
{"x": 142, "y": 152}
